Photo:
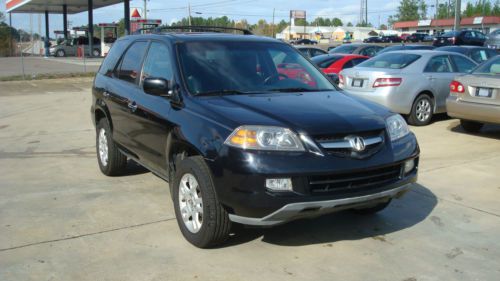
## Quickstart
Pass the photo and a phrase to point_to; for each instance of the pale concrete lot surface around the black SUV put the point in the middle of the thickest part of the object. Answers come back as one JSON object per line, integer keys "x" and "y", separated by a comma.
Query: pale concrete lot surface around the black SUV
{"x": 61, "y": 219}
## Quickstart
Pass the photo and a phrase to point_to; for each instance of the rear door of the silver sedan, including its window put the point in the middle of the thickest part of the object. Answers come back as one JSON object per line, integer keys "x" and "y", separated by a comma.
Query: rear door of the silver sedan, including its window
{"x": 440, "y": 72}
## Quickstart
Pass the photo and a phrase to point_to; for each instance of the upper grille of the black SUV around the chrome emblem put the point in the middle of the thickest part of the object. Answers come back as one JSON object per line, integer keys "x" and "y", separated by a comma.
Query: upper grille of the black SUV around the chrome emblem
{"x": 347, "y": 151}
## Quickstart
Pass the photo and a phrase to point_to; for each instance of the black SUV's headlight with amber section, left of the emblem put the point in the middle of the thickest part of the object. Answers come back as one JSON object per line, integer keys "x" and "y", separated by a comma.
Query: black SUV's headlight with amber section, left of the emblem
{"x": 265, "y": 138}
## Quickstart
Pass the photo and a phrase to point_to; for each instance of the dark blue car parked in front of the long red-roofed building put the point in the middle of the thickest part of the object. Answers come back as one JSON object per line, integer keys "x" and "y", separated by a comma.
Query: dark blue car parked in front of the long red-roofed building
{"x": 463, "y": 37}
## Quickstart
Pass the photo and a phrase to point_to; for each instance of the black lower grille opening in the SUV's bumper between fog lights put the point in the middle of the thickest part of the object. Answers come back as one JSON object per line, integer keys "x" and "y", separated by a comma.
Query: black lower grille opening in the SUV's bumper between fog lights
{"x": 355, "y": 181}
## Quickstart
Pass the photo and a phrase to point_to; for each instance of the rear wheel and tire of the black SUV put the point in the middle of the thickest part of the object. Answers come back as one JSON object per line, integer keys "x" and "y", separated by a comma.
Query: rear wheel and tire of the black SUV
{"x": 111, "y": 161}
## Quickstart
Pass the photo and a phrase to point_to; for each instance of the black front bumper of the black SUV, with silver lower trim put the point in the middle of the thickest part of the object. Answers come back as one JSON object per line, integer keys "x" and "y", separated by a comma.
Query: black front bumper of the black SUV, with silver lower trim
{"x": 239, "y": 178}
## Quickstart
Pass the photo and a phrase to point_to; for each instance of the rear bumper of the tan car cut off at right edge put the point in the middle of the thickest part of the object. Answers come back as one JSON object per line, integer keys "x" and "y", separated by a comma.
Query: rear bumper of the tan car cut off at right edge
{"x": 487, "y": 113}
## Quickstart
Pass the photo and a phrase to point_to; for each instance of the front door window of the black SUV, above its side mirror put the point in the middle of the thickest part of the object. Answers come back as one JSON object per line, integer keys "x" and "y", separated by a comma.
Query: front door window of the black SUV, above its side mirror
{"x": 157, "y": 63}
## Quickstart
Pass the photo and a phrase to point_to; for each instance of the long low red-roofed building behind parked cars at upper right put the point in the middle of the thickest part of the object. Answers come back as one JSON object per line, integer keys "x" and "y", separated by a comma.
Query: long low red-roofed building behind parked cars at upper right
{"x": 486, "y": 24}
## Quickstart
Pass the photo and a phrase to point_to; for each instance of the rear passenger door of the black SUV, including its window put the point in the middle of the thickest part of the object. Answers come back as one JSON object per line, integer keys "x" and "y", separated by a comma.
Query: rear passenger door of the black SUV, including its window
{"x": 123, "y": 90}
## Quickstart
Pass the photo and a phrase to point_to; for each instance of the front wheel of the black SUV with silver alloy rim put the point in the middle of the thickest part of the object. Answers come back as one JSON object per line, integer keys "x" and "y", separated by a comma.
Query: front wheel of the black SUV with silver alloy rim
{"x": 202, "y": 220}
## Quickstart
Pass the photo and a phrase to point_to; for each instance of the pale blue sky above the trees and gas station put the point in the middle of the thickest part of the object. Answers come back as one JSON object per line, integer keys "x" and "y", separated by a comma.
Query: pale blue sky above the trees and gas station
{"x": 252, "y": 10}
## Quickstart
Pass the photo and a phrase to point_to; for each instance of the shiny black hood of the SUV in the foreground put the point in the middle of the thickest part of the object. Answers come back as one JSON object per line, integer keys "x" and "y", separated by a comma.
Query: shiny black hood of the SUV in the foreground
{"x": 312, "y": 113}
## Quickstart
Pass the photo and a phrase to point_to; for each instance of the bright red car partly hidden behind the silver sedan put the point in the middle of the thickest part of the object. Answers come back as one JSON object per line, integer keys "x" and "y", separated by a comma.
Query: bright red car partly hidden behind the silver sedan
{"x": 334, "y": 63}
